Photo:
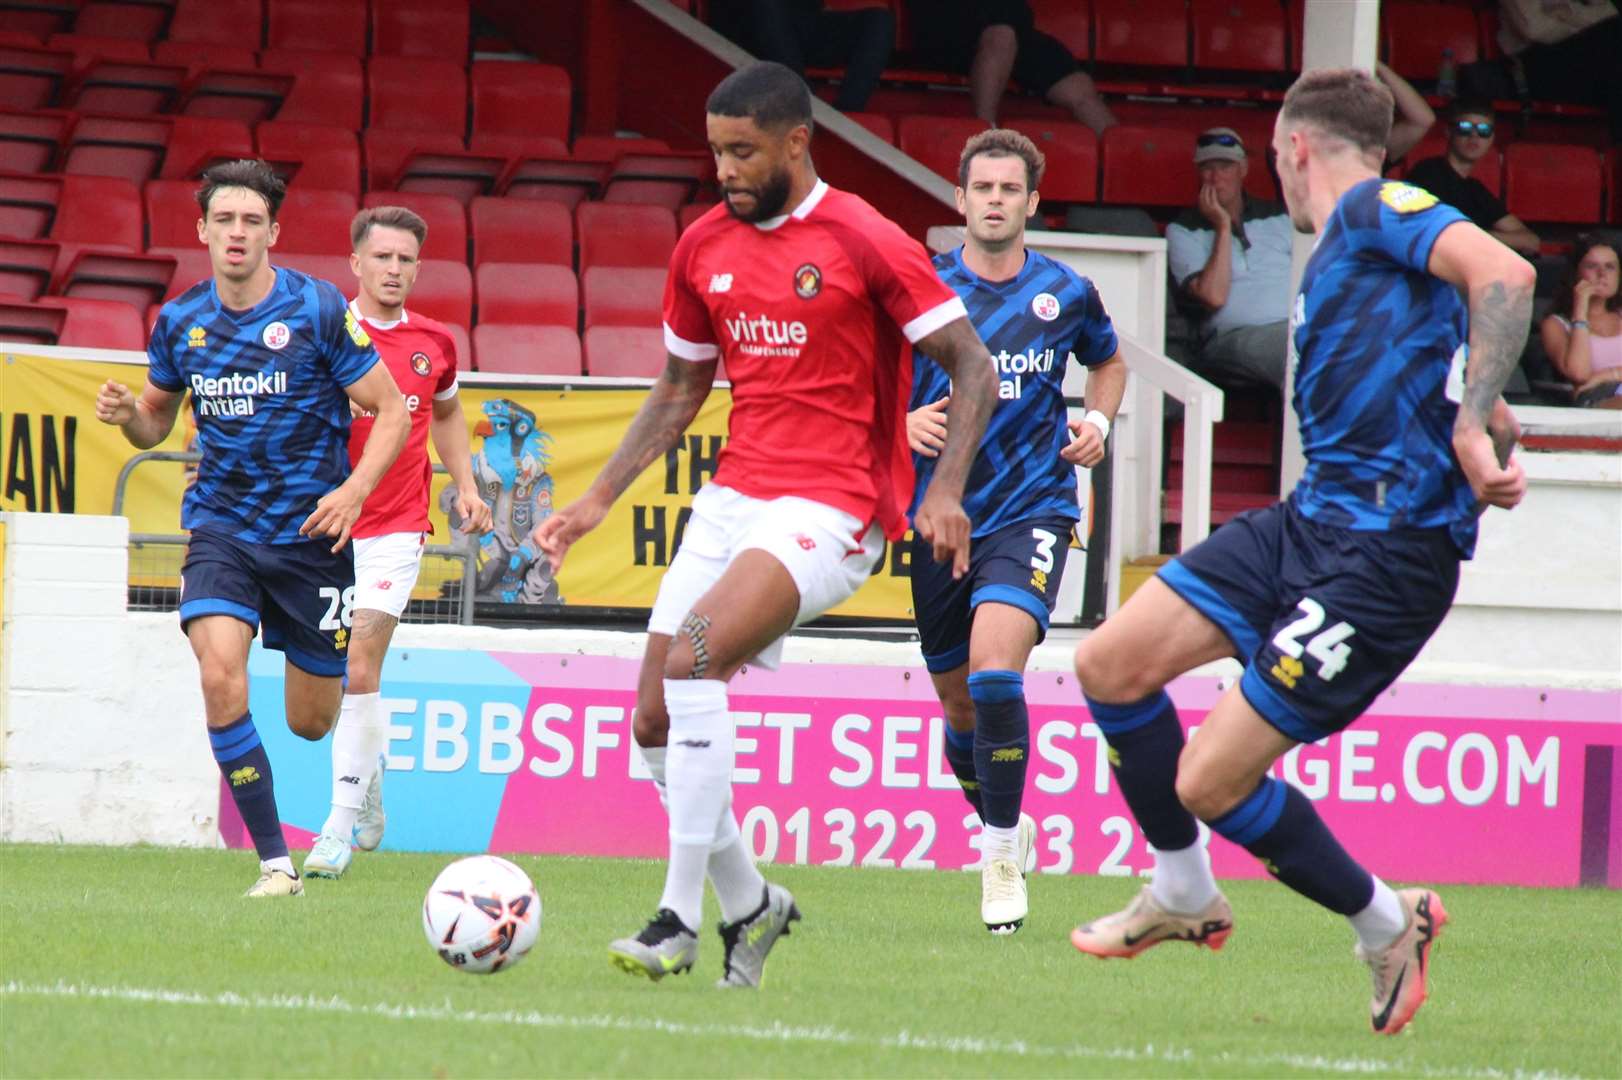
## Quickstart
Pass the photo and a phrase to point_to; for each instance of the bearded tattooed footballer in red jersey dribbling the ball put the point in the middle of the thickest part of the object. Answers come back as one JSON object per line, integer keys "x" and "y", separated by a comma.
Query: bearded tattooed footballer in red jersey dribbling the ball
{"x": 813, "y": 301}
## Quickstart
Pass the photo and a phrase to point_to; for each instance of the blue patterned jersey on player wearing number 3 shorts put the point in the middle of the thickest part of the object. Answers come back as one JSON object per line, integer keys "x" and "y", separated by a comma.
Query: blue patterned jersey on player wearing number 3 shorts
{"x": 1031, "y": 325}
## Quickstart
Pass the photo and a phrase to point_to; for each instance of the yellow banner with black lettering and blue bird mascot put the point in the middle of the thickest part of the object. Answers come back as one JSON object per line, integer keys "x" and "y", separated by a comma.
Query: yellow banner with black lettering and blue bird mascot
{"x": 533, "y": 450}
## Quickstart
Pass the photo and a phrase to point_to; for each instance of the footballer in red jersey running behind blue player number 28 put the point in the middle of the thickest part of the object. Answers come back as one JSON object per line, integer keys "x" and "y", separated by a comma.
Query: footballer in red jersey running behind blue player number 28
{"x": 395, "y": 520}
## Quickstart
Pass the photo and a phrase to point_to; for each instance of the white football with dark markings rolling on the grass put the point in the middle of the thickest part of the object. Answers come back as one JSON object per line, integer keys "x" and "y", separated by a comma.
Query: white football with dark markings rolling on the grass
{"x": 483, "y": 915}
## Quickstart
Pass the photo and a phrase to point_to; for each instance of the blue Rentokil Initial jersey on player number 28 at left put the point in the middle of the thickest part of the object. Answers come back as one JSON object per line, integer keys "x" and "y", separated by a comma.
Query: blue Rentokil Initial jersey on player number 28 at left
{"x": 268, "y": 400}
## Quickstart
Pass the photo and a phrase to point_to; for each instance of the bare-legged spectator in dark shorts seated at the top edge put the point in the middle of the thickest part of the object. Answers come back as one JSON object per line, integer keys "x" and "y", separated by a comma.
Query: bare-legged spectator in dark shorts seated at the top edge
{"x": 995, "y": 40}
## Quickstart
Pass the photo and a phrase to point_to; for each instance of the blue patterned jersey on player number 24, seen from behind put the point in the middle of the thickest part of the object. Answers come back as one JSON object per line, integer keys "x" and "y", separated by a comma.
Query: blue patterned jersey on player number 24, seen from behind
{"x": 1380, "y": 348}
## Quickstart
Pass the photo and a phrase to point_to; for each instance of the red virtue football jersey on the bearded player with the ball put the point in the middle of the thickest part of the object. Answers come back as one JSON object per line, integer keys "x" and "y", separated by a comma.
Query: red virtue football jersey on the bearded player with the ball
{"x": 813, "y": 315}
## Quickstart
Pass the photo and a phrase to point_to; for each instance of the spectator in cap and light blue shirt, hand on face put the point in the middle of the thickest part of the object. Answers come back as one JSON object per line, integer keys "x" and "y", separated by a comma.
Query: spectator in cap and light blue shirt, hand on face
{"x": 1230, "y": 257}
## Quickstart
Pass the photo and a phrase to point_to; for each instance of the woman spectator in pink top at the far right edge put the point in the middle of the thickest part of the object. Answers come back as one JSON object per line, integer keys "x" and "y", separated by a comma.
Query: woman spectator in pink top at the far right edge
{"x": 1584, "y": 333}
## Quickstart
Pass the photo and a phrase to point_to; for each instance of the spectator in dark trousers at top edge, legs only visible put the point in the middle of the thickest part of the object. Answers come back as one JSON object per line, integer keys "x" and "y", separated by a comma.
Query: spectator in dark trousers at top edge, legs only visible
{"x": 797, "y": 33}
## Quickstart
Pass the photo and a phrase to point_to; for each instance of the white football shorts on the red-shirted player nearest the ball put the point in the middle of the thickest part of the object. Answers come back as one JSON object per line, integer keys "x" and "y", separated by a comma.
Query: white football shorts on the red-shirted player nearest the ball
{"x": 825, "y": 551}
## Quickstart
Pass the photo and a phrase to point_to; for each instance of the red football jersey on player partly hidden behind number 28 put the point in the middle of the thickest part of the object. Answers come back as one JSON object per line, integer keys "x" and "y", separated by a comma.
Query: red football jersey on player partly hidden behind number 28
{"x": 421, "y": 354}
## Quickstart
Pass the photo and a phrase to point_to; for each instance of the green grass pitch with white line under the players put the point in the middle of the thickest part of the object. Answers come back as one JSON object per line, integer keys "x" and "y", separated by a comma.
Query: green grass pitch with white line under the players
{"x": 145, "y": 962}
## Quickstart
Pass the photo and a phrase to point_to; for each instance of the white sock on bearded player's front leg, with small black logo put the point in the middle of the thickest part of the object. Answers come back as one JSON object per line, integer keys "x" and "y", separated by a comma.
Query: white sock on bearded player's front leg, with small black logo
{"x": 698, "y": 782}
